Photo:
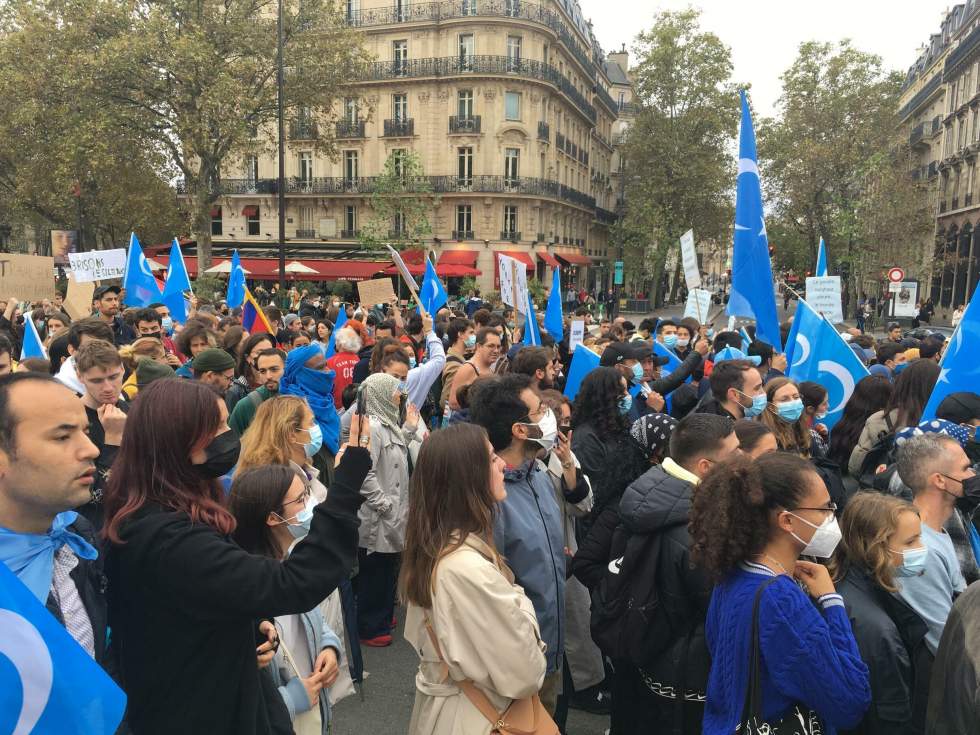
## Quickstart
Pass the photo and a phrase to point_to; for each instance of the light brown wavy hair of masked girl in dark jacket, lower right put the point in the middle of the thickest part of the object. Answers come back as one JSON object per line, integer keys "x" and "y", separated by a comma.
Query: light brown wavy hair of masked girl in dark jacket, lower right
{"x": 867, "y": 523}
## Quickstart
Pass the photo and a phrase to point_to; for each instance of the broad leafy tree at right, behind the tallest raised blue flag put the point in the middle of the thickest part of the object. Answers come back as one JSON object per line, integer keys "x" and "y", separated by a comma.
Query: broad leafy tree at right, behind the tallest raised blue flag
{"x": 827, "y": 160}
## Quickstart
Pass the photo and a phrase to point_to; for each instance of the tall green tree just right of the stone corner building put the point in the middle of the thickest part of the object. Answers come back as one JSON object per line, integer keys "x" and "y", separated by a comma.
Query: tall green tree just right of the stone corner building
{"x": 678, "y": 162}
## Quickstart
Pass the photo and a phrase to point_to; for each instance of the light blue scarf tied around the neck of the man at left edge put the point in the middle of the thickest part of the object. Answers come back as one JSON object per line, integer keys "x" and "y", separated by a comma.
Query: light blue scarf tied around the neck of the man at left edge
{"x": 31, "y": 555}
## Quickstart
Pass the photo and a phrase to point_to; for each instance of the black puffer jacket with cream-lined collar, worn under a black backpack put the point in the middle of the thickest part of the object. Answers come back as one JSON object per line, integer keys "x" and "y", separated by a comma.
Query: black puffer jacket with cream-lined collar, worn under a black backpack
{"x": 658, "y": 503}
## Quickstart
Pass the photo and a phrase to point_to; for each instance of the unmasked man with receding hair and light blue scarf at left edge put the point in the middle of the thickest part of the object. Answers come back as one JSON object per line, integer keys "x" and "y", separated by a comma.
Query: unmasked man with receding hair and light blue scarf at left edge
{"x": 47, "y": 467}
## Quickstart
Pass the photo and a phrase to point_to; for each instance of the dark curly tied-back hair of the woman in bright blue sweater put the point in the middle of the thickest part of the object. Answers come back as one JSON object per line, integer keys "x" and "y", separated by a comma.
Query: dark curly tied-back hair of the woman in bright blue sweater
{"x": 732, "y": 512}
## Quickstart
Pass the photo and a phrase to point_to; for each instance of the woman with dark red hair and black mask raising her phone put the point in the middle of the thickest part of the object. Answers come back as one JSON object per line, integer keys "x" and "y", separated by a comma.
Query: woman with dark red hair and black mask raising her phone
{"x": 188, "y": 608}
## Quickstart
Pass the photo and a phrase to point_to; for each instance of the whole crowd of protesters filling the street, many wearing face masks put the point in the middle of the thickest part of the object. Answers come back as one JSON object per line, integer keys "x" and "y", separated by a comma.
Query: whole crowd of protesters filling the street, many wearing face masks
{"x": 221, "y": 519}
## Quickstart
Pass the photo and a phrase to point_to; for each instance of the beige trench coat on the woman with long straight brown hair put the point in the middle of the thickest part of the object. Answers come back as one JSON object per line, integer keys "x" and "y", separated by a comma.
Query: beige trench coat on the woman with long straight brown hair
{"x": 488, "y": 633}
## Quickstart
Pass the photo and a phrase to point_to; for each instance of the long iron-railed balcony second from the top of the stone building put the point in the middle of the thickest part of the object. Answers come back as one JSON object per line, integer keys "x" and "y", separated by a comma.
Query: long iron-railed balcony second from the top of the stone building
{"x": 452, "y": 66}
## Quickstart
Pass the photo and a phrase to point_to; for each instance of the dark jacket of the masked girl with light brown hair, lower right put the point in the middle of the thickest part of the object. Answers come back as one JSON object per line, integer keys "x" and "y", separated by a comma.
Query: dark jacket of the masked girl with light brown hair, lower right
{"x": 891, "y": 639}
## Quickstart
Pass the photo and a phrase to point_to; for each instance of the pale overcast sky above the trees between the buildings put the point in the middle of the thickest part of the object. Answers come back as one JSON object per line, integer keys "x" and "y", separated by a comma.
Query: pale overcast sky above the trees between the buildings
{"x": 764, "y": 35}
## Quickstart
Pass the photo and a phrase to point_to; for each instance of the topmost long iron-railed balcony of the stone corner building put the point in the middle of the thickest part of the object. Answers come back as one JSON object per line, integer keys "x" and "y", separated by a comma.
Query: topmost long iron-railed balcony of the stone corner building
{"x": 434, "y": 12}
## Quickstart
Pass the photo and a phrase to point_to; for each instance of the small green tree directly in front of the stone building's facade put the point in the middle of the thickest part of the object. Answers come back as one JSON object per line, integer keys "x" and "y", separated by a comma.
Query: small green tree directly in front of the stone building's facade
{"x": 401, "y": 202}
